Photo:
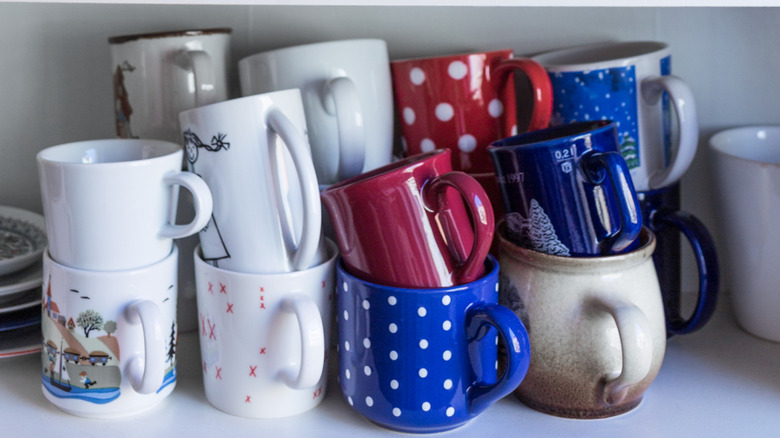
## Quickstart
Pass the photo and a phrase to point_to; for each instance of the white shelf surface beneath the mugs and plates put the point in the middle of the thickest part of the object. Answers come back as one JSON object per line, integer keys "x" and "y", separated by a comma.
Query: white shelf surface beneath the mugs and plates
{"x": 718, "y": 382}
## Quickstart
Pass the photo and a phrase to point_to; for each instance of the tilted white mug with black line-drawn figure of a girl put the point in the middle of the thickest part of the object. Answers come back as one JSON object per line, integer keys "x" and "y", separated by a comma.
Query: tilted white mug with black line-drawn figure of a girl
{"x": 254, "y": 155}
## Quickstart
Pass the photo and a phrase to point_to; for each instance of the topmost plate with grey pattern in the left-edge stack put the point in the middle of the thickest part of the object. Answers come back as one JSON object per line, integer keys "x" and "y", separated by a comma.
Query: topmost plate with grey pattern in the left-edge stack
{"x": 22, "y": 238}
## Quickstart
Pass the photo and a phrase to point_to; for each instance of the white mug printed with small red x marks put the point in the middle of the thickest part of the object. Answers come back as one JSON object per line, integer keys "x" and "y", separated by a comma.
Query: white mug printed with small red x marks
{"x": 263, "y": 337}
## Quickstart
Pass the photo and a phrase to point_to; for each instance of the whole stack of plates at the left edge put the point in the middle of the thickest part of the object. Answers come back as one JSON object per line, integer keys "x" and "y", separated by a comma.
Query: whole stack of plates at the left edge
{"x": 22, "y": 242}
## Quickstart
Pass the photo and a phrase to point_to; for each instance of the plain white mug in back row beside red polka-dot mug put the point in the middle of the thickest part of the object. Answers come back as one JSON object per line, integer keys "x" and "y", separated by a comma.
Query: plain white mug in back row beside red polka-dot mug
{"x": 348, "y": 97}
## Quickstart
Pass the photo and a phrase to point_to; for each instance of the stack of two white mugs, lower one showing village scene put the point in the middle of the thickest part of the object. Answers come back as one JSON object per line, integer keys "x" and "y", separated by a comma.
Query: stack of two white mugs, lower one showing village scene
{"x": 110, "y": 272}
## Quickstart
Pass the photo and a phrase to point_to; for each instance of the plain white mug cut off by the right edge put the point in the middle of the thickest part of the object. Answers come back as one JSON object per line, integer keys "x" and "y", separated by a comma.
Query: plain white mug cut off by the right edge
{"x": 747, "y": 174}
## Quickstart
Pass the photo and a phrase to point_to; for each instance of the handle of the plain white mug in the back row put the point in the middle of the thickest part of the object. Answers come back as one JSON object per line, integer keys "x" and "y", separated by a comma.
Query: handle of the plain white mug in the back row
{"x": 340, "y": 98}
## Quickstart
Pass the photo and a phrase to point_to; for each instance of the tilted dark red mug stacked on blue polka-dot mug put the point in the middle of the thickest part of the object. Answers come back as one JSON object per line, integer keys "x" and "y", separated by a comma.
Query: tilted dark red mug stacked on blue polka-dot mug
{"x": 418, "y": 314}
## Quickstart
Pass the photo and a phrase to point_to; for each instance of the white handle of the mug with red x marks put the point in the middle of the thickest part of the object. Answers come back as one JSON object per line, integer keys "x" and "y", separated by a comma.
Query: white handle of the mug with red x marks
{"x": 312, "y": 335}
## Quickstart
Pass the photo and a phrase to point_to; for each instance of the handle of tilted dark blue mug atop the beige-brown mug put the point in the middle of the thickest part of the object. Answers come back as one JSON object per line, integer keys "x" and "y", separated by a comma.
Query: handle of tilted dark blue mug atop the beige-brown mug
{"x": 597, "y": 166}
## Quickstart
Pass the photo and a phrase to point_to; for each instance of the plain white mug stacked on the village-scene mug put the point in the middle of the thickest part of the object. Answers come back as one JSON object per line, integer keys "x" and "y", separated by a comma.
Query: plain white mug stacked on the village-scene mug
{"x": 109, "y": 204}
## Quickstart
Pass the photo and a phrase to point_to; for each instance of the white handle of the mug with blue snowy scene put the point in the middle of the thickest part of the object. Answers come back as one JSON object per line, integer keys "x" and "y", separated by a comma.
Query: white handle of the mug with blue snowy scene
{"x": 681, "y": 96}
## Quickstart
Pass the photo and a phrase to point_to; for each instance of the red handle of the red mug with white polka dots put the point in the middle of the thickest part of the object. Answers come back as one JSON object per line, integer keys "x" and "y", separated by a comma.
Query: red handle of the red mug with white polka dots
{"x": 540, "y": 87}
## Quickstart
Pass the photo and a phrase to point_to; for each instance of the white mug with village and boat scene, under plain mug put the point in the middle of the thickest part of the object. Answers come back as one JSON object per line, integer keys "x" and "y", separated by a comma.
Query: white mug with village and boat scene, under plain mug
{"x": 109, "y": 338}
